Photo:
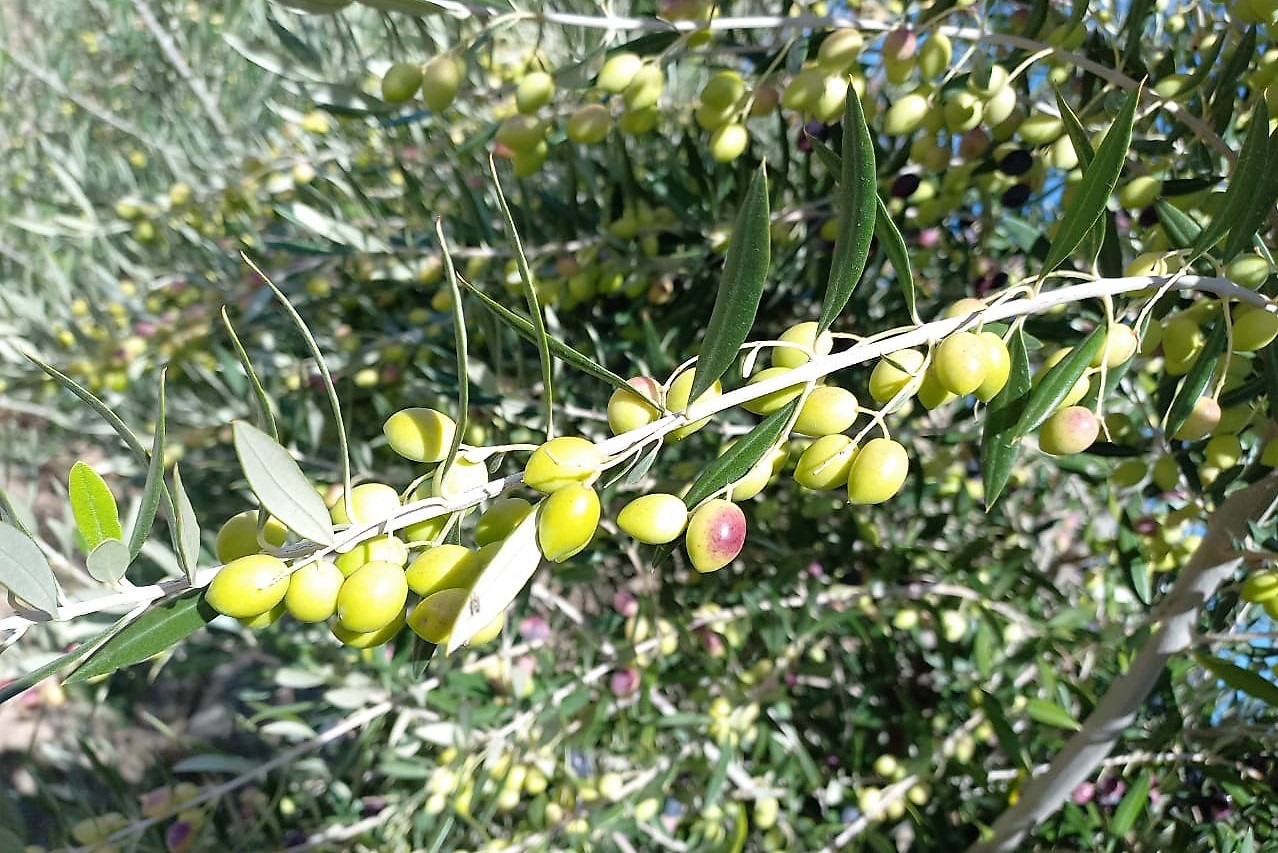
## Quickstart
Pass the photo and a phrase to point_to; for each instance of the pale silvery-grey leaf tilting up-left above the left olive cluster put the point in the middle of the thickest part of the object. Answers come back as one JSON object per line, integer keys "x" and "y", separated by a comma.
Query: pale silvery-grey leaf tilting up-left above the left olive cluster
{"x": 281, "y": 485}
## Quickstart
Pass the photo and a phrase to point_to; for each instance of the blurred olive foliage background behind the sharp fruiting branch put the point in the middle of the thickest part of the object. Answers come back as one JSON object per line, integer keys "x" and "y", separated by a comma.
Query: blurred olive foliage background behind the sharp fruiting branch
{"x": 863, "y": 678}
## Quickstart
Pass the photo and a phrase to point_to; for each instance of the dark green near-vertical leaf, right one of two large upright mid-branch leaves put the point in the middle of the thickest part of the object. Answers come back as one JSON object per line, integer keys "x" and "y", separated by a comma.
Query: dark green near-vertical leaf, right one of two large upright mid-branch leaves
{"x": 858, "y": 203}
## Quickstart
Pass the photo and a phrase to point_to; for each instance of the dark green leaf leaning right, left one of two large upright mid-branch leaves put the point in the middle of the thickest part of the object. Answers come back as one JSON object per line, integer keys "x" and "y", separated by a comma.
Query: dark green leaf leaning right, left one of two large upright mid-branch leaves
{"x": 741, "y": 287}
